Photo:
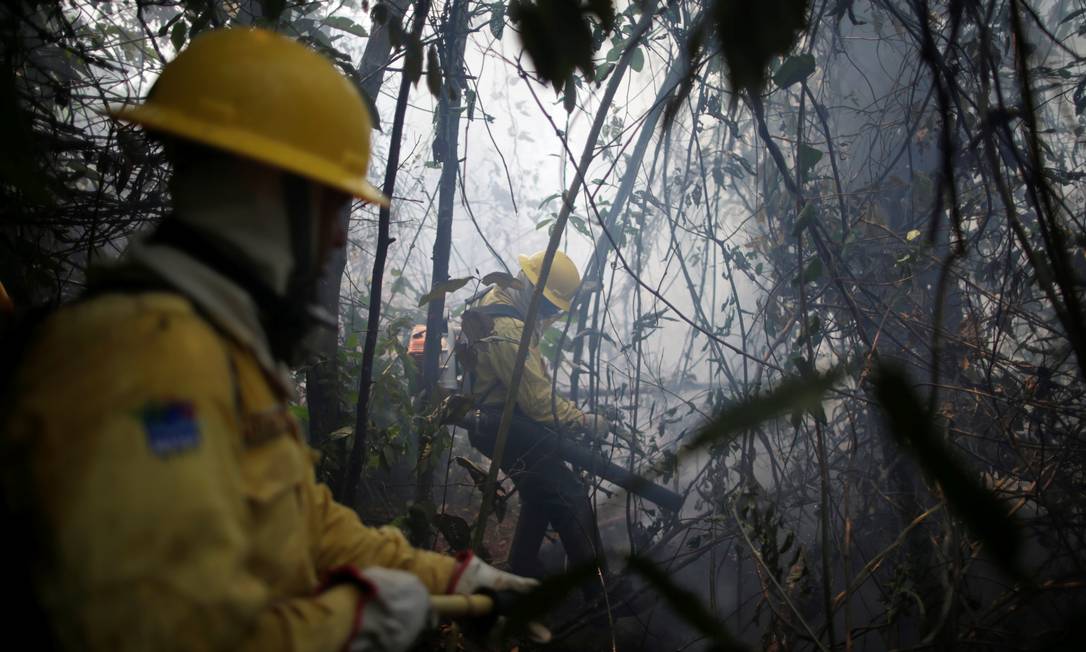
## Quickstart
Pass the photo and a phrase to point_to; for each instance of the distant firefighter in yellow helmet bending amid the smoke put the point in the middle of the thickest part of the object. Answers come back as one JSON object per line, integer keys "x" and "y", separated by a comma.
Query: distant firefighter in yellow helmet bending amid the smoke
{"x": 550, "y": 492}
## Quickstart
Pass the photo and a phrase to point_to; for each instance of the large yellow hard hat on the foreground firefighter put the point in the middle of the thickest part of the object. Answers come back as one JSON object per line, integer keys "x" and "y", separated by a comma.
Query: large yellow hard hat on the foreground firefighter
{"x": 263, "y": 96}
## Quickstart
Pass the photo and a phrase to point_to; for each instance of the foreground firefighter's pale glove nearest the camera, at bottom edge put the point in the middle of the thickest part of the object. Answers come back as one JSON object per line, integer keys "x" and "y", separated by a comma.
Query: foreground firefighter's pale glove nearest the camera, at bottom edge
{"x": 394, "y": 611}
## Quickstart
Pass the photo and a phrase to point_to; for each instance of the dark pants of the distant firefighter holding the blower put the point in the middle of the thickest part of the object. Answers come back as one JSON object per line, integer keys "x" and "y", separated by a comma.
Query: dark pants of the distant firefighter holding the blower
{"x": 551, "y": 494}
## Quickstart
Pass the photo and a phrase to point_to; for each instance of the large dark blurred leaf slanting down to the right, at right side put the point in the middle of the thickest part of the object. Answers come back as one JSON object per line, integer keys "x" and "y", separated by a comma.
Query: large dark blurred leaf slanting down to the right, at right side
{"x": 913, "y": 425}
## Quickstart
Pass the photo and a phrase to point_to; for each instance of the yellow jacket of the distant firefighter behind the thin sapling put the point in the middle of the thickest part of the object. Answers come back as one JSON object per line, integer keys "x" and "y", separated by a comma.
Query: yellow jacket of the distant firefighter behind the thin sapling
{"x": 496, "y": 359}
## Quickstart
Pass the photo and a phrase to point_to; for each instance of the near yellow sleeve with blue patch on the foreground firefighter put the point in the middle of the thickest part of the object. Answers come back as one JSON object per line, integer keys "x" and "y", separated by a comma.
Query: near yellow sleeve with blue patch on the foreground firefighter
{"x": 134, "y": 452}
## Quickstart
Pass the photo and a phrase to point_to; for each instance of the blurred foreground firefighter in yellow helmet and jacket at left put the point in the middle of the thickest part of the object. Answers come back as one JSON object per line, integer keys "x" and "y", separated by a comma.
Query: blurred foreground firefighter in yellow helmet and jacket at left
{"x": 172, "y": 495}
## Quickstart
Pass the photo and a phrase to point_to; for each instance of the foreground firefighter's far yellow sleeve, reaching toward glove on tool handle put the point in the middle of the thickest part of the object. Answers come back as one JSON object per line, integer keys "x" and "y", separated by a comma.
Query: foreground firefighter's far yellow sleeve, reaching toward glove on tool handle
{"x": 344, "y": 540}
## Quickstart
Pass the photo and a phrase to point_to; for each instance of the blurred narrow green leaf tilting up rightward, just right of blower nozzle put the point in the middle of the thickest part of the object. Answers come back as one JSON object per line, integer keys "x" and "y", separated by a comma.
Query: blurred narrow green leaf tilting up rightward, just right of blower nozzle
{"x": 795, "y": 394}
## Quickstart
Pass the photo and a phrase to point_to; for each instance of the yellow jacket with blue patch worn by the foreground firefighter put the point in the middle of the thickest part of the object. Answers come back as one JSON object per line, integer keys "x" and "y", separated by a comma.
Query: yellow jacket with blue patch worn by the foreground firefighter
{"x": 176, "y": 499}
